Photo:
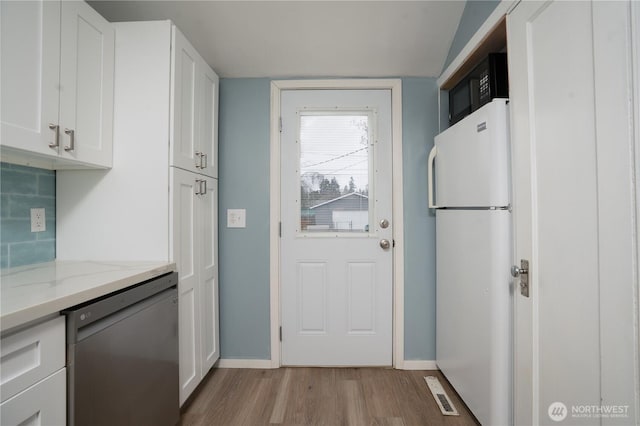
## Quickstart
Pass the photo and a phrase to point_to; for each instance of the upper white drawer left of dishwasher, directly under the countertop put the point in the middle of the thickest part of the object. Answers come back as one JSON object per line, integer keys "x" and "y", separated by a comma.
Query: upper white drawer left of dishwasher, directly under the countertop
{"x": 30, "y": 355}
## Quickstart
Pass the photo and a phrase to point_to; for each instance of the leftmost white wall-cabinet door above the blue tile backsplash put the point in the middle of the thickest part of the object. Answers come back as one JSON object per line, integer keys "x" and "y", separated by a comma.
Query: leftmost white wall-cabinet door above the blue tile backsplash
{"x": 29, "y": 74}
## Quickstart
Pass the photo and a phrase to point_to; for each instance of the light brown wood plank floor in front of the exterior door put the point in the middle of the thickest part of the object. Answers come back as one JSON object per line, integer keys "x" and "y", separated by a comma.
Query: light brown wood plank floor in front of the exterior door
{"x": 319, "y": 396}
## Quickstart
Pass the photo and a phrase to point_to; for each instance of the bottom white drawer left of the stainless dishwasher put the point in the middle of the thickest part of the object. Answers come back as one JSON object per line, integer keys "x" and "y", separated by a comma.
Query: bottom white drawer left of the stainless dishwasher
{"x": 44, "y": 403}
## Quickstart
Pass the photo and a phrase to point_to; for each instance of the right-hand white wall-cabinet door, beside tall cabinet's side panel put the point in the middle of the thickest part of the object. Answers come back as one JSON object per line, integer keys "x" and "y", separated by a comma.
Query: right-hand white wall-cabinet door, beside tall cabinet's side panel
{"x": 86, "y": 85}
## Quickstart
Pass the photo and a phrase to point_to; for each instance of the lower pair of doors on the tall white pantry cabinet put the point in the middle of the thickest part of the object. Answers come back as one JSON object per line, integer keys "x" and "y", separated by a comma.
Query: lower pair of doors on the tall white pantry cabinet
{"x": 195, "y": 247}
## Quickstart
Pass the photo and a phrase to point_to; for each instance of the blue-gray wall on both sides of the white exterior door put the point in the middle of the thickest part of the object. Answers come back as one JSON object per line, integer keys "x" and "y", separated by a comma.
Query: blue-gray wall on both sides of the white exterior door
{"x": 244, "y": 183}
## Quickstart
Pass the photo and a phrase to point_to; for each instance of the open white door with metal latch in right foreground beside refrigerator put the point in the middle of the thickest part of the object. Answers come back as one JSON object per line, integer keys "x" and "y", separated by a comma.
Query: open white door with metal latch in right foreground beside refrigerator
{"x": 575, "y": 344}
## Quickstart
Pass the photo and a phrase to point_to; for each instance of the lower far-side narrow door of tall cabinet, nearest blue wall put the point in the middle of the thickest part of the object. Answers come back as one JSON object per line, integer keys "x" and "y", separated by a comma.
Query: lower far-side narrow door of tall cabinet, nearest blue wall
{"x": 208, "y": 226}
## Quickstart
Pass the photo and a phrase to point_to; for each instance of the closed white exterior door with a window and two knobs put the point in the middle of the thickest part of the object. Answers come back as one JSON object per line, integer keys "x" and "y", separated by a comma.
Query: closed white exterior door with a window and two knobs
{"x": 336, "y": 277}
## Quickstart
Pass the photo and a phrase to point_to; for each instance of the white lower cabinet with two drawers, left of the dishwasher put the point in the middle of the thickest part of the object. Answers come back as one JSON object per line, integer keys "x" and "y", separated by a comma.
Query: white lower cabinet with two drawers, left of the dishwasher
{"x": 34, "y": 379}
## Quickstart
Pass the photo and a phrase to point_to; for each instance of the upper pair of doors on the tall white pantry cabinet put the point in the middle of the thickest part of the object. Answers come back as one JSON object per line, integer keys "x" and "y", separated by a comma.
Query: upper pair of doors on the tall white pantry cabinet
{"x": 194, "y": 109}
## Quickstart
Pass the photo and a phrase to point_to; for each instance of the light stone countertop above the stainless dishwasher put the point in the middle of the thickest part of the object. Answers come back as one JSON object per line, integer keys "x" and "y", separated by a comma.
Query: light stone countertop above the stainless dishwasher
{"x": 28, "y": 293}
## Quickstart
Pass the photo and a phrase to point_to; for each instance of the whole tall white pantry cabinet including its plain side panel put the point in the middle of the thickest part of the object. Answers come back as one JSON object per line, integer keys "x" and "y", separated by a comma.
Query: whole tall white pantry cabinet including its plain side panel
{"x": 160, "y": 199}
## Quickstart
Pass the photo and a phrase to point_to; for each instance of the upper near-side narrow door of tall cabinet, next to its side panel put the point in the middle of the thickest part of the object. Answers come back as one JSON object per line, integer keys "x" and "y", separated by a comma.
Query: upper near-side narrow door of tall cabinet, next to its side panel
{"x": 185, "y": 88}
